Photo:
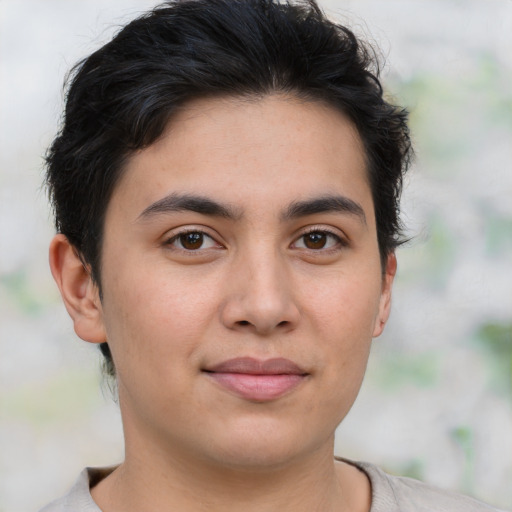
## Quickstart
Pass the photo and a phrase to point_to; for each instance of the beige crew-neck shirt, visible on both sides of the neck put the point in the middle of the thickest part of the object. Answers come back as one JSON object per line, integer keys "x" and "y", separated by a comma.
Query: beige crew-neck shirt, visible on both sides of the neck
{"x": 389, "y": 494}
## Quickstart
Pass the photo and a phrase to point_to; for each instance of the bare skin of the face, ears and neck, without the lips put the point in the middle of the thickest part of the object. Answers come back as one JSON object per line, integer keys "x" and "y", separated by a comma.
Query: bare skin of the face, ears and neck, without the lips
{"x": 255, "y": 285}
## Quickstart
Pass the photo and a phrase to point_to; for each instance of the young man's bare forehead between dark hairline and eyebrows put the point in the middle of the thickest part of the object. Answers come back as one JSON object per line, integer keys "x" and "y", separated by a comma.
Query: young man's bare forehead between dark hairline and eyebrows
{"x": 249, "y": 151}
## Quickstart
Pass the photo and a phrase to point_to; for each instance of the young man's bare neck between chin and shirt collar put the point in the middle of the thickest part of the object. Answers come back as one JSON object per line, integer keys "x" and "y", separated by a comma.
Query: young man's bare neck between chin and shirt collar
{"x": 163, "y": 482}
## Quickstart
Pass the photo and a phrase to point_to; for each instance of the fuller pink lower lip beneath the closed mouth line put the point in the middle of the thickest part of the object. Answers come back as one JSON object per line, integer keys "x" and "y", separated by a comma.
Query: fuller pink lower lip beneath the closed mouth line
{"x": 257, "y": 388}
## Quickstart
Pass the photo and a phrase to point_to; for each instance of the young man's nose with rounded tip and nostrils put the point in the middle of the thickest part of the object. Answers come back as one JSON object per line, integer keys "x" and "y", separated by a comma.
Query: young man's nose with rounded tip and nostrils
{"x": 260, "y": 297}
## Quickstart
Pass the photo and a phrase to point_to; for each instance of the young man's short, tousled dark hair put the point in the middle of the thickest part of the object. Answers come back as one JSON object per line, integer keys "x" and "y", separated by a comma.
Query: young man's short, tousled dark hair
{"x": 121, "y": 98}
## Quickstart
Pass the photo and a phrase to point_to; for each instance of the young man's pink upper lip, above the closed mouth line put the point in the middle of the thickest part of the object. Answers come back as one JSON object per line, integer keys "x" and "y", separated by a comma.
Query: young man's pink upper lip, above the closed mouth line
{"x": 252, "y": 366}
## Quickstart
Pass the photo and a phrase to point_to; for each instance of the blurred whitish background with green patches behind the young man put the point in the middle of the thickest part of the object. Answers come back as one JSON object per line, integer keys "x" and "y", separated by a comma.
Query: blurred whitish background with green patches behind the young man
{"x": 437, "y": 400}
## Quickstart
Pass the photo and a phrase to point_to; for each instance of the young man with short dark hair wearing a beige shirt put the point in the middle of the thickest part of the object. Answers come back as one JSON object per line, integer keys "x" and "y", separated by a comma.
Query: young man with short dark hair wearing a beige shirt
{"x": 226, "y": 189}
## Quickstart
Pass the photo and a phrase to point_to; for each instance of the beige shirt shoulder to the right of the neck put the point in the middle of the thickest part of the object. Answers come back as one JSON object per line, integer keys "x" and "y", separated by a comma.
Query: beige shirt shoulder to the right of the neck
{"x": 400, "y": 494}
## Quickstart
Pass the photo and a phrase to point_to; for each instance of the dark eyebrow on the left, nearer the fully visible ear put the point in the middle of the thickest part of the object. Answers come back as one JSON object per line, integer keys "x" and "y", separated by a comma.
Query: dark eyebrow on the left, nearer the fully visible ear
{"x": 188, "y": 202}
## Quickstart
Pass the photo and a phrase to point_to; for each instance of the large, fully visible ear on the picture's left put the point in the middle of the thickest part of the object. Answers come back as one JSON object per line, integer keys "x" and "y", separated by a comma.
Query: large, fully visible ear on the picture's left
{"x": 78, "y": 291}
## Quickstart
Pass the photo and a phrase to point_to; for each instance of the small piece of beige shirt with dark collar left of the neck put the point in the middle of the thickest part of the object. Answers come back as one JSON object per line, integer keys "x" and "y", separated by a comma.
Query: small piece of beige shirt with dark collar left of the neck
{"x": 79, "y": 498}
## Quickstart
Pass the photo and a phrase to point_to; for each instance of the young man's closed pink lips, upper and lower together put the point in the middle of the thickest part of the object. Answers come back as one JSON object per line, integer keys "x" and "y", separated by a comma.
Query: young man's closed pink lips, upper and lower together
{"x": 256, "y": 380}
